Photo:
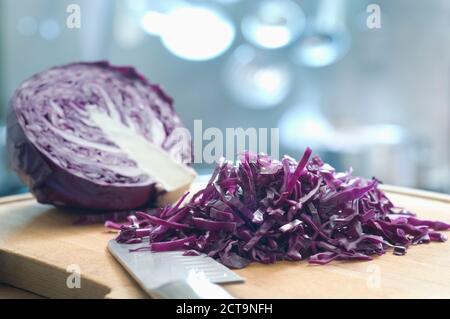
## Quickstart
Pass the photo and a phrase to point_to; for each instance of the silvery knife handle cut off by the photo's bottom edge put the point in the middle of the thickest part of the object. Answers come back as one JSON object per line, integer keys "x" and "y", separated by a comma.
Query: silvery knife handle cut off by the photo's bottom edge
{"x": 182, "y": 289}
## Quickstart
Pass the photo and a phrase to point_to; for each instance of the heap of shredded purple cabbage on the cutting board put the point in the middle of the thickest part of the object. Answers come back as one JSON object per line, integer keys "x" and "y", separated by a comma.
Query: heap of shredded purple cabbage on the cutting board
{"x": 263, "y": 210}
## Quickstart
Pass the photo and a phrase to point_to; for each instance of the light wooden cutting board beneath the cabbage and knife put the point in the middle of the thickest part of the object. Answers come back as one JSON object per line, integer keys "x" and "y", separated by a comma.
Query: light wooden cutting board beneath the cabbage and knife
{"x": 38, "y": 243}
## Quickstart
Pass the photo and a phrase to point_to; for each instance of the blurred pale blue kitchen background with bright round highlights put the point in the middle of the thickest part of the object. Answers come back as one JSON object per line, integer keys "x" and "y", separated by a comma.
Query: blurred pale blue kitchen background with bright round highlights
{"x": 367, "y": 95}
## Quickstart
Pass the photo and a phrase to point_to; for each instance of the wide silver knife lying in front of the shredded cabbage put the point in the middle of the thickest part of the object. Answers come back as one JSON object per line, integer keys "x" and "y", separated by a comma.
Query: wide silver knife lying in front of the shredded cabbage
{"x": 170, "y": 275}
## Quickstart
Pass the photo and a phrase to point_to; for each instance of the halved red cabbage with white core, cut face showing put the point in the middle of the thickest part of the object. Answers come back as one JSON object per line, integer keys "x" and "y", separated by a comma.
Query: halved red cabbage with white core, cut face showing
{"x": 96, "y": 136}
